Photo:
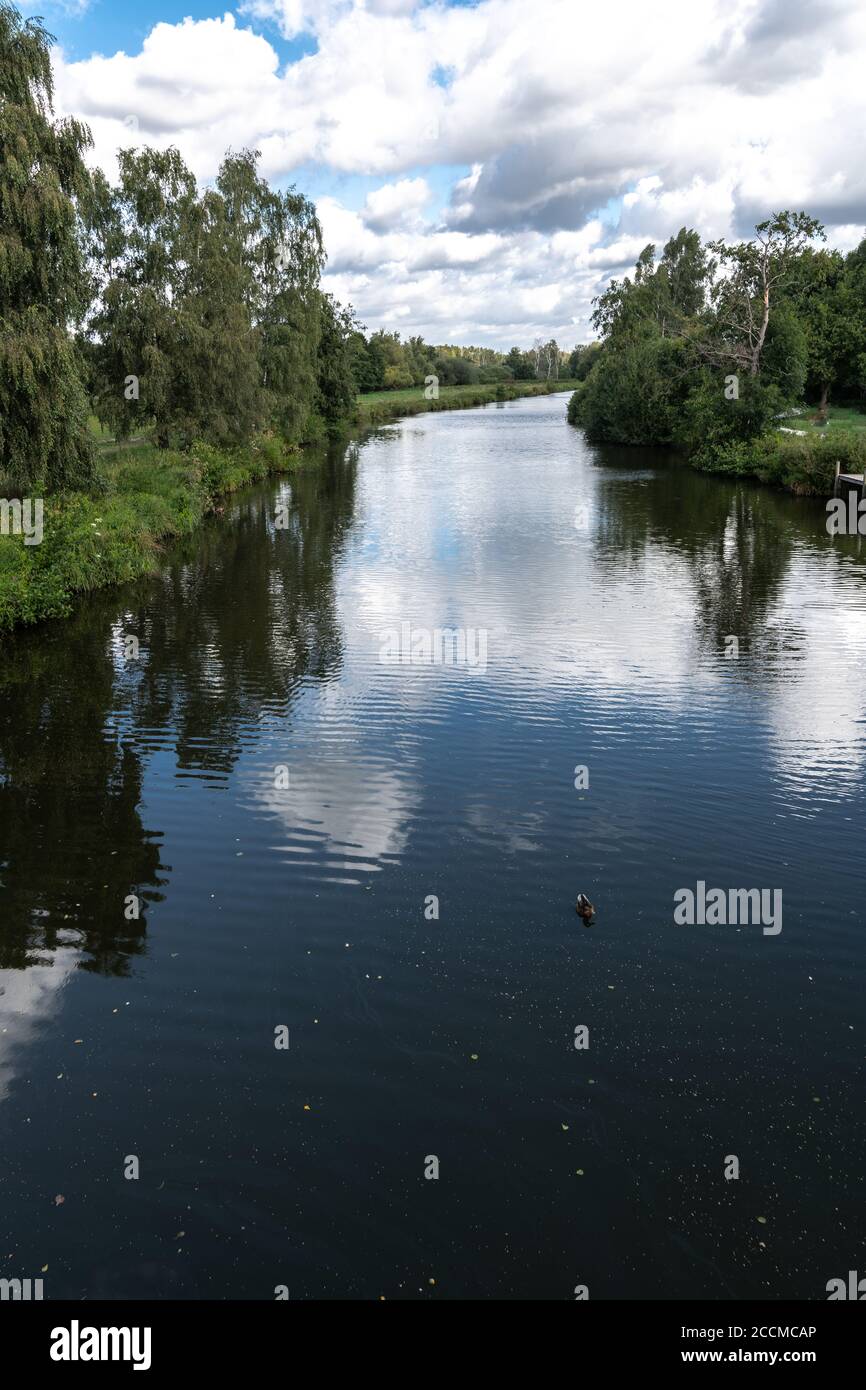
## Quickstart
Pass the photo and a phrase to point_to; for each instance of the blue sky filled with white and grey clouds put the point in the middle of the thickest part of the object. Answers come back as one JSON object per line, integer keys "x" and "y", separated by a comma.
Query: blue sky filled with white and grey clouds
{"x": 483, "y": 167}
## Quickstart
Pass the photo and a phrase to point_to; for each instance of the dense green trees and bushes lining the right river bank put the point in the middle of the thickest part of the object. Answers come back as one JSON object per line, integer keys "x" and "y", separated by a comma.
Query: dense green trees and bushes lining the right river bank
{"x": 711, "y": 343}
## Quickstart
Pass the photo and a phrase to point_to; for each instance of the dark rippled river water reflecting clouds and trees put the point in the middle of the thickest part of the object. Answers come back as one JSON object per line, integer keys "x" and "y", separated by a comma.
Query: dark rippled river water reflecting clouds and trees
{"x": 377, "y": 862}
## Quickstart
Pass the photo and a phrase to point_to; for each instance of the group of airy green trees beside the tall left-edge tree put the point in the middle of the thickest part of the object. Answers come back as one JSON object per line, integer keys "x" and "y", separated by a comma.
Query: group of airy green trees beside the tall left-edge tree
{"x": 208, "y": 318}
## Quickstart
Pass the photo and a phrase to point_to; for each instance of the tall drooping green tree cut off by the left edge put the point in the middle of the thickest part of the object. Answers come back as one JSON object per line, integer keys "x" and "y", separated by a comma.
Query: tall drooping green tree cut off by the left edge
{"x": 44, "y": 409}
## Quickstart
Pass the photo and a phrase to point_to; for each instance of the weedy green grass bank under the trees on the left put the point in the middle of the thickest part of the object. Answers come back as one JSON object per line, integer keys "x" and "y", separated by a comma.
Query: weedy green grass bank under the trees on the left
{"x": 151, "y": 498}
